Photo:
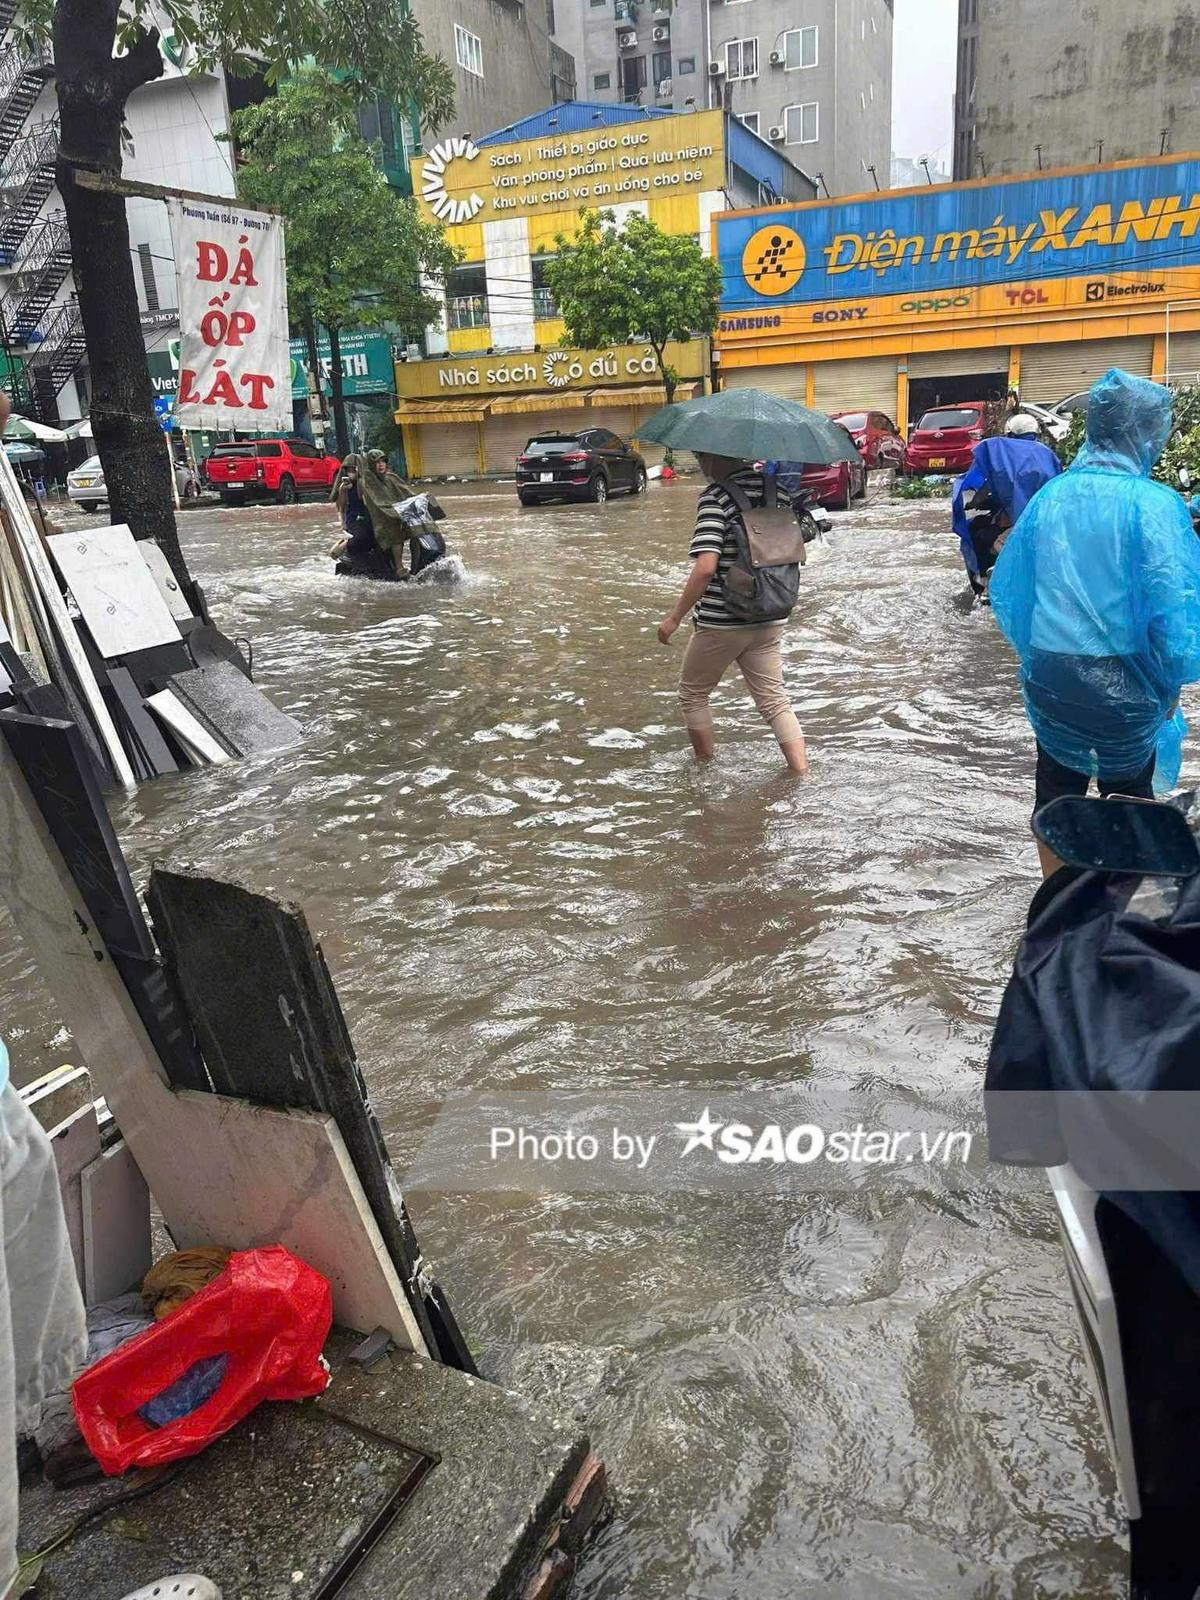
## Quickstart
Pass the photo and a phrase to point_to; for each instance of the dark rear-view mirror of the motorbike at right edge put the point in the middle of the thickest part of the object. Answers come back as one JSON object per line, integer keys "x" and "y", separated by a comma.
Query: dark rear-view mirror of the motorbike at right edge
{"x": 1138, "y": 838}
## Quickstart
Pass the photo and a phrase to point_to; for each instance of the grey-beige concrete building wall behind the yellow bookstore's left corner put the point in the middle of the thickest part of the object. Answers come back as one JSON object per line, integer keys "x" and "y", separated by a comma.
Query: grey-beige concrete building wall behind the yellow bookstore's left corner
{"x": 516, "y": 46}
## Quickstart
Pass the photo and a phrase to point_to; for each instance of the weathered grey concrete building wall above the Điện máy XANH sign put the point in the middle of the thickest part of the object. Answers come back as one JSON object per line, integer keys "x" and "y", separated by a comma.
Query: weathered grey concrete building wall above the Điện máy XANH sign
{"x": 1066, "y": 78}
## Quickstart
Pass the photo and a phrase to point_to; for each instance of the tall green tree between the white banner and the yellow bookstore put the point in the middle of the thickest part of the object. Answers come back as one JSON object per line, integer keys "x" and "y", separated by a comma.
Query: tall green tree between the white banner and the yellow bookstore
{"x": 356, "y": 249}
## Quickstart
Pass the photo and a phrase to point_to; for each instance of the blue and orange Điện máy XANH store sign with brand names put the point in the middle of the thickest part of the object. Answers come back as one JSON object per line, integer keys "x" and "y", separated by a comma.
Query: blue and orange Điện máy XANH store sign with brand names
{"x": 1111, "y": 238}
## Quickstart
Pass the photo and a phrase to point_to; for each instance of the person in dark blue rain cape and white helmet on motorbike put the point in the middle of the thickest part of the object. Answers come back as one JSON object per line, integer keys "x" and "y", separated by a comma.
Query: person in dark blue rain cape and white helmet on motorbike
{"x": 1001, "y": 482}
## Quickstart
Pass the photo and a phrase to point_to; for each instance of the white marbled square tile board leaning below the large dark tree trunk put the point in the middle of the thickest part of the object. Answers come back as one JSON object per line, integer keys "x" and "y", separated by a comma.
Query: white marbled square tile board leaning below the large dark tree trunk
{"x": 114, "y": 590}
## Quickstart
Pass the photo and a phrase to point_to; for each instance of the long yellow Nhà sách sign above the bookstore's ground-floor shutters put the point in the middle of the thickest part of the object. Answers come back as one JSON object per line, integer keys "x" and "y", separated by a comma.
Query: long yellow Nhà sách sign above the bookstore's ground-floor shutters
{"x": 556, "y": 370}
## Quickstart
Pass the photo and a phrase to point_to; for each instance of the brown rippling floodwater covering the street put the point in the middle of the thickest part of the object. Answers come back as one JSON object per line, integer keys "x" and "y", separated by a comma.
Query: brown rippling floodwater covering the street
{"x": 521, "y": 882}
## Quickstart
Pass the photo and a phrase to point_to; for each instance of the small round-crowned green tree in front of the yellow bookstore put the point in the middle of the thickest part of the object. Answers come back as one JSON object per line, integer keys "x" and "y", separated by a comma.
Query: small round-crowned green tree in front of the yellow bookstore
{"x": 622, "y": 284}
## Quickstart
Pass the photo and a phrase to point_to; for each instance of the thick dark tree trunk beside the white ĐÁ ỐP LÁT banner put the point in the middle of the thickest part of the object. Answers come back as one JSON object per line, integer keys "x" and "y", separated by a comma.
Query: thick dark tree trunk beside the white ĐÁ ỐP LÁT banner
{"x": 92, "y": 94}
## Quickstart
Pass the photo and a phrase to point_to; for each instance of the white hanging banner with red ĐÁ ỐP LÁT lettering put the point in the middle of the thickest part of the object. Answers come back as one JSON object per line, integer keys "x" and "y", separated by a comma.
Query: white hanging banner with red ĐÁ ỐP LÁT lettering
{"x": 234, "y": 359}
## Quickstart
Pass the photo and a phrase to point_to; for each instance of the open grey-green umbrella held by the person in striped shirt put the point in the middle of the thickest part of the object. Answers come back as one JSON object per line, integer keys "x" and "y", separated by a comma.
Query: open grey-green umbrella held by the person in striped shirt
{"x": 750, "y": 425}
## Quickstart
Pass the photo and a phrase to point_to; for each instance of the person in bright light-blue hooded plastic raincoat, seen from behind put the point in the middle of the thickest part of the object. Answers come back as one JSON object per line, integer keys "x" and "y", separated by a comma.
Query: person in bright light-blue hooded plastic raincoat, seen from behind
{"x": 1098, "y": 591}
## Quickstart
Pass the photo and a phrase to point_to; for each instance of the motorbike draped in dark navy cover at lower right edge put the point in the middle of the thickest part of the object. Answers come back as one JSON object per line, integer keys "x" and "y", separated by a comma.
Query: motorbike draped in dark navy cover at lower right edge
{"x": 1094, "y": 1074}
